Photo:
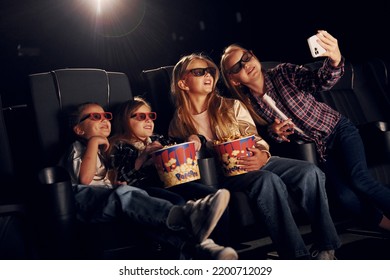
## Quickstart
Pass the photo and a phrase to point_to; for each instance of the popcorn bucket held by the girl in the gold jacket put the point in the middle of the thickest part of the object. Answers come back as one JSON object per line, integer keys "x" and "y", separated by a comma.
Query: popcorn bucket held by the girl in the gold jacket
{"x": 228, "y": 152}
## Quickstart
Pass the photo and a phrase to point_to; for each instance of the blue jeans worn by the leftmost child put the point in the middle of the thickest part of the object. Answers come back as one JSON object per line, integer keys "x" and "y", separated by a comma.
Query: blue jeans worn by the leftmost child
{"x": 97, "y": 204}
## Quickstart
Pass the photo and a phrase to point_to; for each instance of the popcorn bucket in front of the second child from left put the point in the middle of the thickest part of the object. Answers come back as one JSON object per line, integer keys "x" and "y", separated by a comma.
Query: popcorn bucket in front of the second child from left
{"x": 177, "y": 164}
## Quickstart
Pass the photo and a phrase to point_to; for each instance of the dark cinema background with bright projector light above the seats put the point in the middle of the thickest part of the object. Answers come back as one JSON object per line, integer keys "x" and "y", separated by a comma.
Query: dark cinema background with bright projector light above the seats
{"x": 42, "y": 35}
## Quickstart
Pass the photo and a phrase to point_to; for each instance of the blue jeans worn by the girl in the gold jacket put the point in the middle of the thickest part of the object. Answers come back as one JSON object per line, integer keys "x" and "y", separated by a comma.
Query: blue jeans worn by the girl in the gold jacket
{"x": 270, "y": 188}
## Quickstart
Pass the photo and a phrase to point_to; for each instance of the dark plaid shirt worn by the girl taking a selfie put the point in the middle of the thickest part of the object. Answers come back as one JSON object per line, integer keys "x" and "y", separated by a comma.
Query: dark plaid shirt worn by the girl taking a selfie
{"x": 292, "y": 88}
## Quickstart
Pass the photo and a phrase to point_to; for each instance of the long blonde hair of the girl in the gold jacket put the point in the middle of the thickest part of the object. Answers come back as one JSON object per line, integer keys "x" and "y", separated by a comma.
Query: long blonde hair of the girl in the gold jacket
{"x": 218, "y": 108}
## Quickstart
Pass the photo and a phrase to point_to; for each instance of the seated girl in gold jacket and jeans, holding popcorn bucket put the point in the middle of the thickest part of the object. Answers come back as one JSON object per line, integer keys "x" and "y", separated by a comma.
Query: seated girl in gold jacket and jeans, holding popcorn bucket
{"x": 270, "y": 180}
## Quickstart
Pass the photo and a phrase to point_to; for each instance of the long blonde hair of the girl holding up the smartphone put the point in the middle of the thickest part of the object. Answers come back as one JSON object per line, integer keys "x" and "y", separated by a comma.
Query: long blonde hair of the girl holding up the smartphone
{"x": 238, "y": 91}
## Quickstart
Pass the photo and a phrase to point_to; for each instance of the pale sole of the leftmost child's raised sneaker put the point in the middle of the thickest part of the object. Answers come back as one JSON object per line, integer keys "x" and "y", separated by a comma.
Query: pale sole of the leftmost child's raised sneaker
{"x": 220, "y": 198}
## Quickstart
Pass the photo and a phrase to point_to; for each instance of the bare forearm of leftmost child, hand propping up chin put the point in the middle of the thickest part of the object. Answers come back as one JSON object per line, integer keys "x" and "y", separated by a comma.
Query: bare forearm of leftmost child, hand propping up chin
{"x": 89, "y": 161}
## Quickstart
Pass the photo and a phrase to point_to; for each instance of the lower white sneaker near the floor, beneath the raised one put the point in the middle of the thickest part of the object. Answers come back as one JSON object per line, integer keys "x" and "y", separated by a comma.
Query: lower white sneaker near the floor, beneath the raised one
{"x": 210, "y": 251}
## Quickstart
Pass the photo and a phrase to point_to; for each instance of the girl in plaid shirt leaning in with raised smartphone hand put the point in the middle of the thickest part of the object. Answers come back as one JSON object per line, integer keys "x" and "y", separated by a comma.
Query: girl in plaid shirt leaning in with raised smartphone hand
{"x": 283, "y": 100}
